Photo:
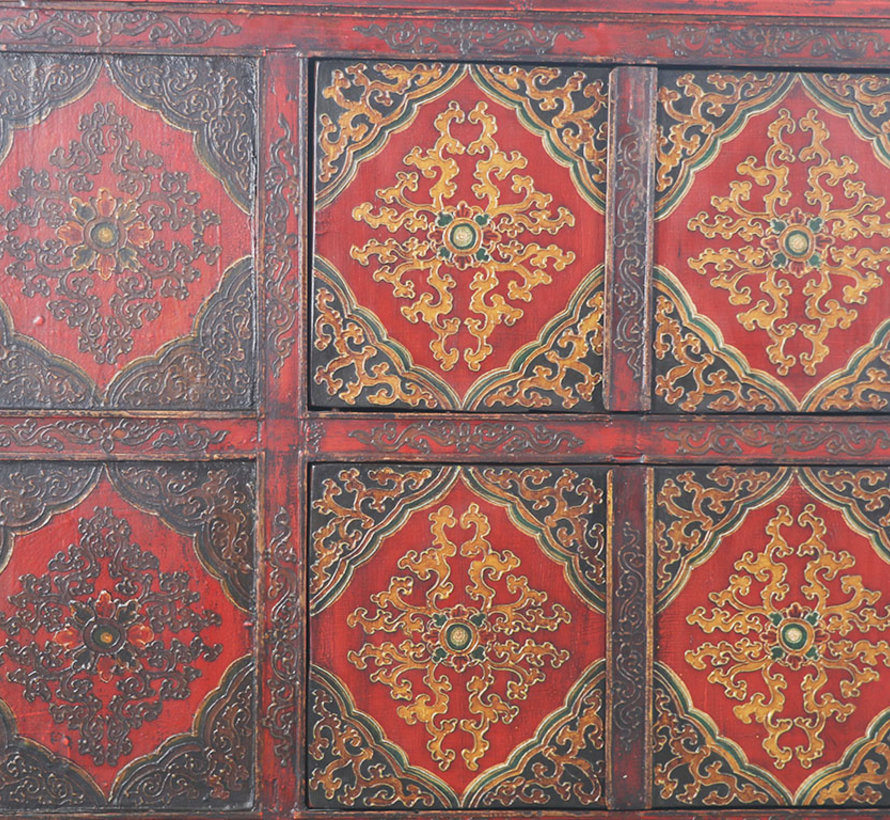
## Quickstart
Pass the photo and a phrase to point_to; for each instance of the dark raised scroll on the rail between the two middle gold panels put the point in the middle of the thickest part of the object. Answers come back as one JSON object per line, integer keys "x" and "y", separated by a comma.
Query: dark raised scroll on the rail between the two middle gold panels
{"x": 468, "y": 437}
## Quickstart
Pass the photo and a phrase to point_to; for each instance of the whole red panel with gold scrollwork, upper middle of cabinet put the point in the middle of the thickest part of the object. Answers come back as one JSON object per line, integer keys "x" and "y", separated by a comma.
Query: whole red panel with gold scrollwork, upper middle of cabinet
{"x": 458, "y": 237}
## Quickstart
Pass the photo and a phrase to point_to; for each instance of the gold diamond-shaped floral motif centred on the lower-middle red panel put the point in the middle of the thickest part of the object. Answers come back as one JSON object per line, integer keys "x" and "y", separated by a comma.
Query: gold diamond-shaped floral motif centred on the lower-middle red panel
{"x": 487, "y": 642}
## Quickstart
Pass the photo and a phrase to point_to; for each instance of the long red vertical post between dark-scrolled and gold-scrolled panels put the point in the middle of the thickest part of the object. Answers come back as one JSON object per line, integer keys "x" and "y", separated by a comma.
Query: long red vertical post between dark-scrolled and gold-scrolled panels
{"x": 281, "y": 259}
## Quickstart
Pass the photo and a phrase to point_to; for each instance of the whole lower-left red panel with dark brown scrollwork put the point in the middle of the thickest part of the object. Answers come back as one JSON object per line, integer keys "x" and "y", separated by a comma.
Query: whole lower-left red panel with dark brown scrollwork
{"x": 126, "y": 660}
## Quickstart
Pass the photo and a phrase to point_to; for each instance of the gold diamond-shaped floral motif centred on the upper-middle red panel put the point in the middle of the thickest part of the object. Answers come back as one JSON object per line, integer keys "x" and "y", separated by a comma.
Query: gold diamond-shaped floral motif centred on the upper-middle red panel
{"x": 450, "y": 237}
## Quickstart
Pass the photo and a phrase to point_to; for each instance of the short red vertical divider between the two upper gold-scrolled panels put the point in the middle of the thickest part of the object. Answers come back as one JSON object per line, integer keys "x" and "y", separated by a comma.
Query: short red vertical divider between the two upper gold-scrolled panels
{"x": 629, "y": 229}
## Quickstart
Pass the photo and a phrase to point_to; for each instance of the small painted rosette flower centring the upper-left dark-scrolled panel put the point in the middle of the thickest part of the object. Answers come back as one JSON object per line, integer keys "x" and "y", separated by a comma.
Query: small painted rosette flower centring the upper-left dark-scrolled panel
{"x": 107, "y": 233}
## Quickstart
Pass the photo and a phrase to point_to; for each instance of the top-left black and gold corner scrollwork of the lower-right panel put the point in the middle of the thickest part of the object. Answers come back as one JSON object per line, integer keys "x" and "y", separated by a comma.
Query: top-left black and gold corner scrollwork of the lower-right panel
{"x": 696, "y": 509}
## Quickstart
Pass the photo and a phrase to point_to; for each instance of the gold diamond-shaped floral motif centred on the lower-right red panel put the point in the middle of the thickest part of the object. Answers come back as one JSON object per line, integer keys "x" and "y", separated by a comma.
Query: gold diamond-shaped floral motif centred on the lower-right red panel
{"x": 776, "y": 634}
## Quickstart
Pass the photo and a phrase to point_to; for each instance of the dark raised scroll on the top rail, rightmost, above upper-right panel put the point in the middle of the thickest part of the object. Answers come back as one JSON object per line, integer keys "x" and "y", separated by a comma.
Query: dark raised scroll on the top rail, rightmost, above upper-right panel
{"x": 759, "y": 40}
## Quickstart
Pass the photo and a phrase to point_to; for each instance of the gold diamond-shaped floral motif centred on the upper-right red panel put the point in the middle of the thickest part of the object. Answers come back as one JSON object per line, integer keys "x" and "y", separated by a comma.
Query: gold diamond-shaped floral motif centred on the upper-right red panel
{"x": 791, "y": 250}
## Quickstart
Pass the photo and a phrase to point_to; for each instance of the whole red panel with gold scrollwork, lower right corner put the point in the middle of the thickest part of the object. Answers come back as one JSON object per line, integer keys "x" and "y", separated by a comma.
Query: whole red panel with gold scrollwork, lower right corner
{"x": 772, "y": 654}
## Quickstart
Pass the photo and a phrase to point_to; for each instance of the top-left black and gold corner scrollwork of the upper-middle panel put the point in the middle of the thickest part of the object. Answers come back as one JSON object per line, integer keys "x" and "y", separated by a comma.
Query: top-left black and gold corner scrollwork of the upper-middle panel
{"x": 360, "y": 105}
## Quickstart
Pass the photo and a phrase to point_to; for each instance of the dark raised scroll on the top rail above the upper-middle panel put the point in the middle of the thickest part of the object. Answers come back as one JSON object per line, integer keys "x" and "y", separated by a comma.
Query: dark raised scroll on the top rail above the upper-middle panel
{"x": 468, "y": 36}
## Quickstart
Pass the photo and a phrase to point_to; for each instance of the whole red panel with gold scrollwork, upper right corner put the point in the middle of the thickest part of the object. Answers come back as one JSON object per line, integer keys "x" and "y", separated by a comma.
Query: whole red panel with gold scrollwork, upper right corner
{"x": 772, "y": 253}
